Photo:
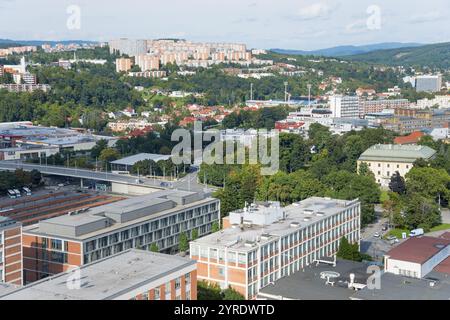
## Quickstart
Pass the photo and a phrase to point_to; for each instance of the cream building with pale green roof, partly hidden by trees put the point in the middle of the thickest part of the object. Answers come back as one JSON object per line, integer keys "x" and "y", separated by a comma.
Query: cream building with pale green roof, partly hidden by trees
{"x": 384, "y": 160}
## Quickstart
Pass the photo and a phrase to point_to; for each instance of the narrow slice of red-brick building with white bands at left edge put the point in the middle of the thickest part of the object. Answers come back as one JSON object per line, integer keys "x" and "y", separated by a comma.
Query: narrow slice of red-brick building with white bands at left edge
{"x": 10, "y": 251}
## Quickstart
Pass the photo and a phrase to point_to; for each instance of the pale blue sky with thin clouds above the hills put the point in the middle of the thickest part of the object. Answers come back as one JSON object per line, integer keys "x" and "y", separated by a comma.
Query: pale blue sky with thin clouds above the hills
{"x": 287, "y": 24}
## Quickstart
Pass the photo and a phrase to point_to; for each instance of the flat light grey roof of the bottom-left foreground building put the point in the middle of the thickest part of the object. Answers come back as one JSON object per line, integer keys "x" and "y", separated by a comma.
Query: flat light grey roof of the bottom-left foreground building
{"x": 105, "y": 279}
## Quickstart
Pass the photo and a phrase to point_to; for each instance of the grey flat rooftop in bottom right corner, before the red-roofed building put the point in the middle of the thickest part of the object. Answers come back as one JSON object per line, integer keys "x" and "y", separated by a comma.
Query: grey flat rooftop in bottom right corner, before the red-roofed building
{"x": 435, "y": 286}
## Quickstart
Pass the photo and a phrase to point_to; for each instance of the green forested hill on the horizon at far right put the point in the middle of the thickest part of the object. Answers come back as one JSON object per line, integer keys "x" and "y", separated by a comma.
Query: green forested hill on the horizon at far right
{"x": 433, "y": 55}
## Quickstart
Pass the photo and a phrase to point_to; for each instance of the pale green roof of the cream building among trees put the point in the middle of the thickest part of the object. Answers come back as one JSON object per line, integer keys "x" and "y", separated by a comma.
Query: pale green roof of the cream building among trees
{"x": 397, "y": 153}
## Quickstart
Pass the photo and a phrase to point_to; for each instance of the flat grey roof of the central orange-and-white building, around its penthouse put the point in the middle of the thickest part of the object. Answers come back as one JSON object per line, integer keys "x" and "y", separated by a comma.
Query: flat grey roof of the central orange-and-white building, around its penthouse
{"x": 298, "y": 215}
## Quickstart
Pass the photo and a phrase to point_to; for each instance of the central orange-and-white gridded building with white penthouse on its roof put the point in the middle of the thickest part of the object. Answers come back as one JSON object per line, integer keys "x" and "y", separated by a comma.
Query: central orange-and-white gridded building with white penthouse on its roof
{"x": 265, "y": 242}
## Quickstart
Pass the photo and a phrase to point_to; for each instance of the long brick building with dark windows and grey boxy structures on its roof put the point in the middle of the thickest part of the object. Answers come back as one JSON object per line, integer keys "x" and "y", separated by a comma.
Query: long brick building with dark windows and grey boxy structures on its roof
{"x": 158, "y": 219}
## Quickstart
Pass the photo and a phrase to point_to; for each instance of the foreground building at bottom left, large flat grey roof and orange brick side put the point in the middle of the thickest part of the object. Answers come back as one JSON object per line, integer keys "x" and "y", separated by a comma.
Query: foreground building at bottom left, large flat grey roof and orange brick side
{"x": 129, "y": 275}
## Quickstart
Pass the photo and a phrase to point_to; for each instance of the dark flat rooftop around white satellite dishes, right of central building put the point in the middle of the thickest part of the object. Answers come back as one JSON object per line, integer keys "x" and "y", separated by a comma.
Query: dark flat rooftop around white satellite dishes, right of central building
{"x": 307, "y": 284}
